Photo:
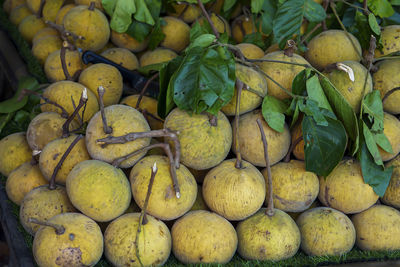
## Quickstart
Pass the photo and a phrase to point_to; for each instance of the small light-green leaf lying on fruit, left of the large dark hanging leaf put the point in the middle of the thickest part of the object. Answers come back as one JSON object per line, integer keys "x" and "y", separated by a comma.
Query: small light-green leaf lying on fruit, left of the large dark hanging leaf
{"x": 272, "y": 110}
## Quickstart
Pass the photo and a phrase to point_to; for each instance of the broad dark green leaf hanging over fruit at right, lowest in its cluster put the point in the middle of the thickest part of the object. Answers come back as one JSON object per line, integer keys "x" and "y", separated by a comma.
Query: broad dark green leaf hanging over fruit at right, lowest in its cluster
{"x": 324, "y": 146}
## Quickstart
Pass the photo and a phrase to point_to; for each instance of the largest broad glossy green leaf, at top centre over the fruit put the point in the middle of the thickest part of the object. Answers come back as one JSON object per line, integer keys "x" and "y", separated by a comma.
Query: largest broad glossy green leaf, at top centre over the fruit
{"x": 205, "y": 80}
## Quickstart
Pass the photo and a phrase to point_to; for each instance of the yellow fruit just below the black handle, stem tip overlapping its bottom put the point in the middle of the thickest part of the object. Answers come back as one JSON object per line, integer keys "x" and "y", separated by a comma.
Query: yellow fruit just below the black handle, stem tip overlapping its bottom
{"x": 103, "y": 75}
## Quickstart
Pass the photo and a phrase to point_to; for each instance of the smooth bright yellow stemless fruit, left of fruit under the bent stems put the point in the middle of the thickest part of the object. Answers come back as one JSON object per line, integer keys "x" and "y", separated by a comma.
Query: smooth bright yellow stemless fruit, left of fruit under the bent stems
{"x": 98, "y": 190}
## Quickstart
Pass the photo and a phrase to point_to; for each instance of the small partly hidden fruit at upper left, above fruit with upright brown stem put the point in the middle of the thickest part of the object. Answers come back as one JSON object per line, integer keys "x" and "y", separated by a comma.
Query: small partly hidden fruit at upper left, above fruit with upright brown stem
{"x": 44, "y": 46}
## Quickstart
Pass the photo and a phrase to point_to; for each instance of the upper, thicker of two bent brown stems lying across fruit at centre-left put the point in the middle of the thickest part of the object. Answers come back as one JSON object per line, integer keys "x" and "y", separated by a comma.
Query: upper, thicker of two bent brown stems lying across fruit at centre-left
{"x": 155, "y": 133}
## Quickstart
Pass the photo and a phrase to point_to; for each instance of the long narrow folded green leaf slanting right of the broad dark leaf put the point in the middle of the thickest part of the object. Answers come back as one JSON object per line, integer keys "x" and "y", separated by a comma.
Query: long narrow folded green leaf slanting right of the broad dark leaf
{"x": 343, "y": 111}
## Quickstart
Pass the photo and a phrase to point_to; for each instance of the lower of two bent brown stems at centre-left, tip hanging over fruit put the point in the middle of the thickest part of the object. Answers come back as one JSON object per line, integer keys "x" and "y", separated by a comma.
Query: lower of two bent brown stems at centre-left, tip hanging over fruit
{"x": 167, "y": 151}
